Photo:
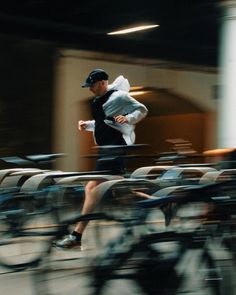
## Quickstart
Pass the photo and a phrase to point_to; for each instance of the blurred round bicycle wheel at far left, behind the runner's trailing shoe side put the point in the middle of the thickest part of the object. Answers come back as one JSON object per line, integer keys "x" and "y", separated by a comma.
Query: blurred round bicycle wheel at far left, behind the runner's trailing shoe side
{"x": 26, "y": 230}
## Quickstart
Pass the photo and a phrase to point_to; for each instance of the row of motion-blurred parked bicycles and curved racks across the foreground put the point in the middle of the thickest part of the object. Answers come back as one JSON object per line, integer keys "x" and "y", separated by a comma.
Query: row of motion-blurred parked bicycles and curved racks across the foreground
{"x": 38, "y": 207}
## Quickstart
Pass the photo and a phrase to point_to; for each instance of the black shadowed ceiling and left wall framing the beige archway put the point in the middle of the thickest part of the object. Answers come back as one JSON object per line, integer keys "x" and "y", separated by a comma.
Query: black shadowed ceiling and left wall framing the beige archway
{"x": 31, "y": 32}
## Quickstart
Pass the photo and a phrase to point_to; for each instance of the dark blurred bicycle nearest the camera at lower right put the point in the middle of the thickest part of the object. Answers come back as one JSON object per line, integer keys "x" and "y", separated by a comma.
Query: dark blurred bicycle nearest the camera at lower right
{"x": 158, "y": 269}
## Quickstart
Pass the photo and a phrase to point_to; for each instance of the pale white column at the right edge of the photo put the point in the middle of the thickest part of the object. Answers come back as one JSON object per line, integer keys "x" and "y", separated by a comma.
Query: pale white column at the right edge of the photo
{"x": 227, "y": 66}
